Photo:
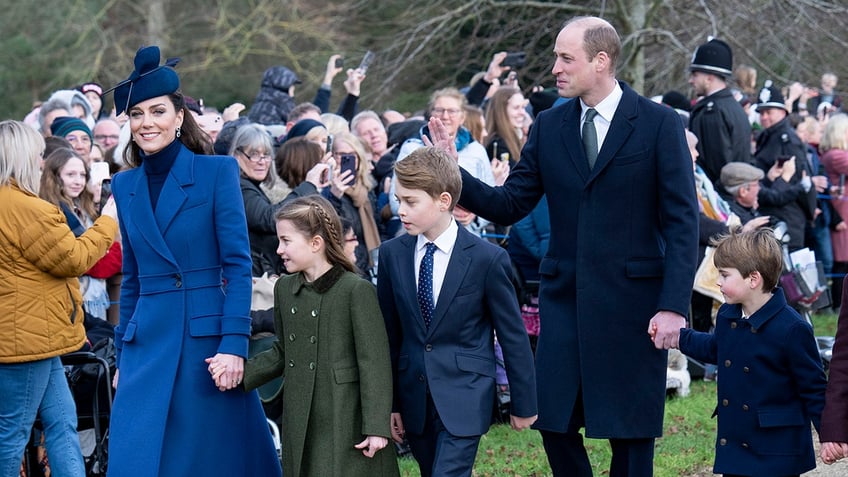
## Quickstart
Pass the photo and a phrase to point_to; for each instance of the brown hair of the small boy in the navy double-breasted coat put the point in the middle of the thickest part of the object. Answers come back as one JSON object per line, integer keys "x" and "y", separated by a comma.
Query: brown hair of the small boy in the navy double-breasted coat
{"x": 748, "y": 252}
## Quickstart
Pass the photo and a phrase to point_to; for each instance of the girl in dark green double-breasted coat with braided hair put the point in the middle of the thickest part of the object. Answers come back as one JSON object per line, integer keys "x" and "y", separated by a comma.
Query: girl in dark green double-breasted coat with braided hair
{"x": 332, "y": 350}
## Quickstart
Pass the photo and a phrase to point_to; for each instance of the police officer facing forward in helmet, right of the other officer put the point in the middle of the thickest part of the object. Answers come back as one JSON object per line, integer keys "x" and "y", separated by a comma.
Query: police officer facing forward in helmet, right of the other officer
{"x": 782, "y": 156}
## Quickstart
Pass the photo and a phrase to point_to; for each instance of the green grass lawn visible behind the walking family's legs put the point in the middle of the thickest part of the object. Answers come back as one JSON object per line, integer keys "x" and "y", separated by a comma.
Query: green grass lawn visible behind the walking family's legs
{"x": 686, "y": 448}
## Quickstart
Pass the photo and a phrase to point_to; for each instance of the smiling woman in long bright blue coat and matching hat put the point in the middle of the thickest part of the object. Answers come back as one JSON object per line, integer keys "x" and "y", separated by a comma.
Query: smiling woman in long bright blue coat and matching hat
{"x": 181, "y": 341}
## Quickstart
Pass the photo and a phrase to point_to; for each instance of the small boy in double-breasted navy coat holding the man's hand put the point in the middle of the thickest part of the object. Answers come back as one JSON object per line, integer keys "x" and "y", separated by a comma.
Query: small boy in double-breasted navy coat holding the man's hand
{"x": 771, "y": 382}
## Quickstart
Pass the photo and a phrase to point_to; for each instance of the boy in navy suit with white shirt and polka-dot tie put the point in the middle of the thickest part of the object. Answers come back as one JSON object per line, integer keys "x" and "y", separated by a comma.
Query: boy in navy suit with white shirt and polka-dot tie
{"x": 444, "y": 293}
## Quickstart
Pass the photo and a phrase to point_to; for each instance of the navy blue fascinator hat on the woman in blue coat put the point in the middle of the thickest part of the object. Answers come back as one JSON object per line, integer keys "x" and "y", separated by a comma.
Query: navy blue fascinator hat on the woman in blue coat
{"x": 148, "y": 80}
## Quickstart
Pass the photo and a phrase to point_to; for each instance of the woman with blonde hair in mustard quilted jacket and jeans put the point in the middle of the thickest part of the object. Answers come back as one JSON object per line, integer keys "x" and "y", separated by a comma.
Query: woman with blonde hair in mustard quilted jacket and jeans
{"x": 41, "y": 313}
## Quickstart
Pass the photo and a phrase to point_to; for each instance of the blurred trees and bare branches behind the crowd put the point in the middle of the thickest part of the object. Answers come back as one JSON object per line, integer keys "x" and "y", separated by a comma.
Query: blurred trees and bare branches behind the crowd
{"x": 225, "y": 45}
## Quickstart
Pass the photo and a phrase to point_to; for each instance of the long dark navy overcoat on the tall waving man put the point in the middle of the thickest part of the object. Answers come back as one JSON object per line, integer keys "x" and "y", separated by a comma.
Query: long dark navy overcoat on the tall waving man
{"x": 624, "y": 244}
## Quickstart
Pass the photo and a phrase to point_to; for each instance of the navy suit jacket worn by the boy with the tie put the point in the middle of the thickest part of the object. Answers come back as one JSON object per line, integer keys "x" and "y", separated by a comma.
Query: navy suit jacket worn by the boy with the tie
{"x": 455, "y": 356}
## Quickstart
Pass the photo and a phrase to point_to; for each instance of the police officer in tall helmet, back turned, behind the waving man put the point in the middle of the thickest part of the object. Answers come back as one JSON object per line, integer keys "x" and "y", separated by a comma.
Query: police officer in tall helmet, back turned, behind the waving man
{"x": 717, "y": 119}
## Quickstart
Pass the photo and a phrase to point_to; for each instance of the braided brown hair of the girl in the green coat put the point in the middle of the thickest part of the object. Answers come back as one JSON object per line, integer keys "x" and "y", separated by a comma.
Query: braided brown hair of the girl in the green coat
{"x": 313, "y": 215}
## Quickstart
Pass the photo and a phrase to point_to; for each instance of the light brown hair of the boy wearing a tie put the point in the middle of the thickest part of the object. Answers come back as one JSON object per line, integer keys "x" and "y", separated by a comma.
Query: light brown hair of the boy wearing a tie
{"x": 432, "y": 170}
